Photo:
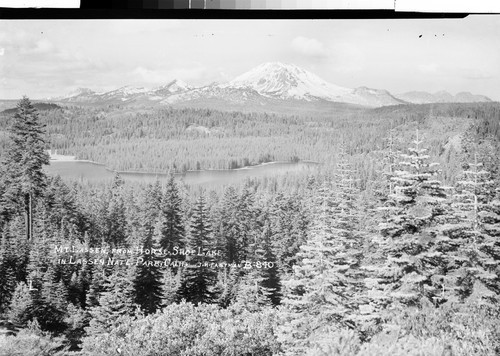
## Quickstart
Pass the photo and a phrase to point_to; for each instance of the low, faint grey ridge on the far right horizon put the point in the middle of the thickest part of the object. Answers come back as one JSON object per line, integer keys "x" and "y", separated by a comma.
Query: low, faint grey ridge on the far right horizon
{"x": 422, "y": 97}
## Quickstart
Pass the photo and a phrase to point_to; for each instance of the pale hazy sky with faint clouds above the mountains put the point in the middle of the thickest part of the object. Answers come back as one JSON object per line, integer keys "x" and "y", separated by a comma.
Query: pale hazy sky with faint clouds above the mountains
{"x": 48, "y": 58}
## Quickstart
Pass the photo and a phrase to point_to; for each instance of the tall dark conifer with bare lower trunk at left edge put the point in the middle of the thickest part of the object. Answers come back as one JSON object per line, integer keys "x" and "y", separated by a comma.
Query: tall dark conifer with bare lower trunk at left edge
{"x": 25, "y": 158}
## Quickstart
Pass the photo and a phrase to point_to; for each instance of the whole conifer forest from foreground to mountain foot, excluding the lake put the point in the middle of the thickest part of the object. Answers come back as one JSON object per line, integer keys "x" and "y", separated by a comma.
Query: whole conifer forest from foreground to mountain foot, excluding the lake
{"x": 392, "y": 248}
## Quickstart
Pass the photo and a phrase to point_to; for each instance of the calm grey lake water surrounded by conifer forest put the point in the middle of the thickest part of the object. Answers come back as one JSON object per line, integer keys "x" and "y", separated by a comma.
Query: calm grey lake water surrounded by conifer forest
{"x": 93, "y": 172}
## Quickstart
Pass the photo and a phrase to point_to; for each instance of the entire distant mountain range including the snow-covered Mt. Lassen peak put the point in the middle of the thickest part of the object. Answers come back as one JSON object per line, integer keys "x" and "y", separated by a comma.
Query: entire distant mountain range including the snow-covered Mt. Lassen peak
{"x": 269, "y": 84}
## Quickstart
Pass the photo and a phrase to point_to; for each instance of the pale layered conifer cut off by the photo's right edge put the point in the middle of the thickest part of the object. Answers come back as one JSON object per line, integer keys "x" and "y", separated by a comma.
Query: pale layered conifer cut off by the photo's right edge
{"x": 476, "y": 258}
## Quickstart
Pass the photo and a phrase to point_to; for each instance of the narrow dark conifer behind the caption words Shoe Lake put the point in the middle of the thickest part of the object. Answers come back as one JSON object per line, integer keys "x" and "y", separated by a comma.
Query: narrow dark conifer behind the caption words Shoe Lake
{"x": 199, "y": 278}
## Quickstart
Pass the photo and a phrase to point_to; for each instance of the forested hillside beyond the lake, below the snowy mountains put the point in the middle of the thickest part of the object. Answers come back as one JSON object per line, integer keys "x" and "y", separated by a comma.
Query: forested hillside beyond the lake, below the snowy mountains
{"x": 160, "y": 140}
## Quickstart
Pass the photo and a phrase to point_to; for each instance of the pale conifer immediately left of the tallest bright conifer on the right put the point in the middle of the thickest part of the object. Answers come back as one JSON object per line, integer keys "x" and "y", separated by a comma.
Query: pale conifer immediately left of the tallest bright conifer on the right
{"x": 325, "y": 291}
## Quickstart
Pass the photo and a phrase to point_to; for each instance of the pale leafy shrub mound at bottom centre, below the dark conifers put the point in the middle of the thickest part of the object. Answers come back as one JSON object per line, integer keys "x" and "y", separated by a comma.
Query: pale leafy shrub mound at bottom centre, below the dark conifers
{"x": 185, "y": 330}
